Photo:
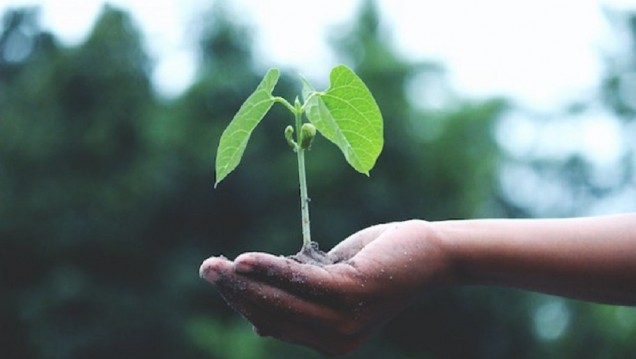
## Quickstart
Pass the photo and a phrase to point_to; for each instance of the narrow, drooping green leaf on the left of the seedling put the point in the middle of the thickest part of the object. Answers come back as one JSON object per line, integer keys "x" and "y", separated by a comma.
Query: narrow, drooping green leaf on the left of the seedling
{"x": 235, "y": 137}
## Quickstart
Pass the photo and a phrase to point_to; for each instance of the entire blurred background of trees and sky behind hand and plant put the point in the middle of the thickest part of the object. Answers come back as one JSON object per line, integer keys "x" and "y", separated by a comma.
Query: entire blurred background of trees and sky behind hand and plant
{"x": 108, "y": 137}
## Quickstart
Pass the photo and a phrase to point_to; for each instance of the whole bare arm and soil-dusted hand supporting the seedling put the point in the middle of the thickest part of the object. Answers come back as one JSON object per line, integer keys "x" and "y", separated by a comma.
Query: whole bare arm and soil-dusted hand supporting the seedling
{"x": 382, "y": 269}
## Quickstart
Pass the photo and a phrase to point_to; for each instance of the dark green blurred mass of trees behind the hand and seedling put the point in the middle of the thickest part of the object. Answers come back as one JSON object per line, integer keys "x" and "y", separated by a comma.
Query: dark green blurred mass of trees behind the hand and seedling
{"x": 107, "y": 207}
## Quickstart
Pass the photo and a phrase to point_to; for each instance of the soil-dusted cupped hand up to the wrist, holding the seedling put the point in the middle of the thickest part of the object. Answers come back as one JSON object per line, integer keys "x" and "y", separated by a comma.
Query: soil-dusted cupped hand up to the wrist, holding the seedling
{"x": 377, "y": 273}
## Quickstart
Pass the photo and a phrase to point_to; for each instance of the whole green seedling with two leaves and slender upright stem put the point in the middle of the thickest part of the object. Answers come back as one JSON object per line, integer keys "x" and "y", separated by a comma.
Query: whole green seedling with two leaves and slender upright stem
{"x": 346, "y": 114}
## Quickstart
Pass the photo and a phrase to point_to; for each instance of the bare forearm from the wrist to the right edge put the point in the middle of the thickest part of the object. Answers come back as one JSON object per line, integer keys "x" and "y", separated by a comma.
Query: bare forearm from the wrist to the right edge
{"x": 586, "y": 258}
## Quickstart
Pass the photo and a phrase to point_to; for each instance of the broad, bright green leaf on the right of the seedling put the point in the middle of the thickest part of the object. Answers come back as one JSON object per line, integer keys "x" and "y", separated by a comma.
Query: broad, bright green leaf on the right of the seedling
{"x": 347, "y": 115}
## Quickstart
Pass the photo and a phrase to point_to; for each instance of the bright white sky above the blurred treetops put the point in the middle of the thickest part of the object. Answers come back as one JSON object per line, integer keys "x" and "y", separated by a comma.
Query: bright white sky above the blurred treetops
{"x": 541, "y": 53}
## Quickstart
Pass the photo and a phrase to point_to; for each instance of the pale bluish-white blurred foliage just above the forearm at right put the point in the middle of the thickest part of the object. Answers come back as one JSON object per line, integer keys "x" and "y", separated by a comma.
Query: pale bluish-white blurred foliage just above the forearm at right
{"x": 599, "y": 174}
